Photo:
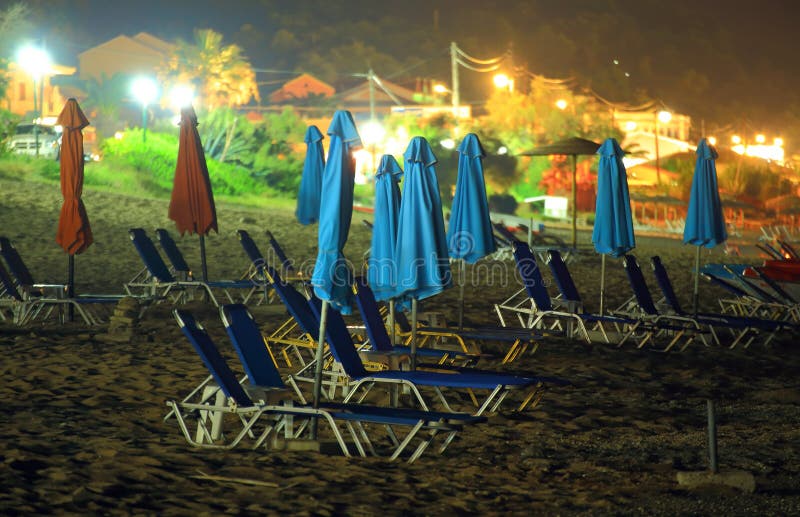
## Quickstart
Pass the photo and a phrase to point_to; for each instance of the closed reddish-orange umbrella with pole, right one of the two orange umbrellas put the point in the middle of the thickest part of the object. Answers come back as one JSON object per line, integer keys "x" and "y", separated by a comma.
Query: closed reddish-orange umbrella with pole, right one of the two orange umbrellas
{"x": 192, "y": 204}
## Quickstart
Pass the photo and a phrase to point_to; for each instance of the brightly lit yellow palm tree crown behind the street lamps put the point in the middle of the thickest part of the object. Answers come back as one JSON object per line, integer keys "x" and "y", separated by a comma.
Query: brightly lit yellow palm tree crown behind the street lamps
{"x": 220, "y": 73}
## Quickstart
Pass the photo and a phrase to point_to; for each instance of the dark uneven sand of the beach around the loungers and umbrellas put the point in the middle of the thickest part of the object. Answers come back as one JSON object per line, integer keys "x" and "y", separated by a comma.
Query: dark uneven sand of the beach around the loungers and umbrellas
{"x": 83, "y": 429}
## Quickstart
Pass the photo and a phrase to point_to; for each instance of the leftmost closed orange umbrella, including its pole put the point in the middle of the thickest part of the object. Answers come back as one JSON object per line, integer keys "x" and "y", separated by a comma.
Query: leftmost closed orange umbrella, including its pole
{"x": 74, "y": 232}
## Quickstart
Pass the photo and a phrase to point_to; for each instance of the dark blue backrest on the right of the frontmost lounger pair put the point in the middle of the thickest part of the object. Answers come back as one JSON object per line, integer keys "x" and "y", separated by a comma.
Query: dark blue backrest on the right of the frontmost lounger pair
{"x": 250, "y": 346}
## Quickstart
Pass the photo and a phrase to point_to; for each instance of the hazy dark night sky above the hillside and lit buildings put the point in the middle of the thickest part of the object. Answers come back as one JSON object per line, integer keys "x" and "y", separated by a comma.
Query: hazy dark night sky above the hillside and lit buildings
{"x": 690, "y": 54}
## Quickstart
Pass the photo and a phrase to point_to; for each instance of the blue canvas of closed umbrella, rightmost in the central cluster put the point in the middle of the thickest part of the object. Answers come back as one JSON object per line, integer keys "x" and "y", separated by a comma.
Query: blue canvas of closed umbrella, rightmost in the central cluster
{"x": 469, "y": 233}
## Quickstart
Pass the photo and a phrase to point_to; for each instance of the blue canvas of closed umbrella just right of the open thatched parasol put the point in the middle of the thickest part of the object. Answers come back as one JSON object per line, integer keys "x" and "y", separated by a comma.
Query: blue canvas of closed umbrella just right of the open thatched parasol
{"x": 613, "y": 225}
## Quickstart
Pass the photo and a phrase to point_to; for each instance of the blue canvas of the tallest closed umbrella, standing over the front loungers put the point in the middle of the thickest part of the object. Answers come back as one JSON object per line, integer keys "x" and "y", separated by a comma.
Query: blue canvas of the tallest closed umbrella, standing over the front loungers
{"x": 331, "y": 277}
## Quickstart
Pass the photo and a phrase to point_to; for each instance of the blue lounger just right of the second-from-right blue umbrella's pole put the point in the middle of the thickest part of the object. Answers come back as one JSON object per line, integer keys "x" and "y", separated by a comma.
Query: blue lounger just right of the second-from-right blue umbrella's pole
{"x": 678, "y": 330}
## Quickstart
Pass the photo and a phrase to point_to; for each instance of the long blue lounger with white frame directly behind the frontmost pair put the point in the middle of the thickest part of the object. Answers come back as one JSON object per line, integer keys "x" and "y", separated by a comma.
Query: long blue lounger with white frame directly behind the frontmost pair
{"x": 361, "y": 381}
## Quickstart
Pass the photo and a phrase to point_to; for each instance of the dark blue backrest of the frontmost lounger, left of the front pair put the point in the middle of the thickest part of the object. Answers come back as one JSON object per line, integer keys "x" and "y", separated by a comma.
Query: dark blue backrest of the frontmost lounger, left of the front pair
{"x": 211, "y": 357}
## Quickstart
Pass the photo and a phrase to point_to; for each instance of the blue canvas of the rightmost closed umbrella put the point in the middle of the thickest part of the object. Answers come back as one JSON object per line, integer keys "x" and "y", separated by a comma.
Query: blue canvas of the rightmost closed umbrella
{"x": 705, "y": 224}
